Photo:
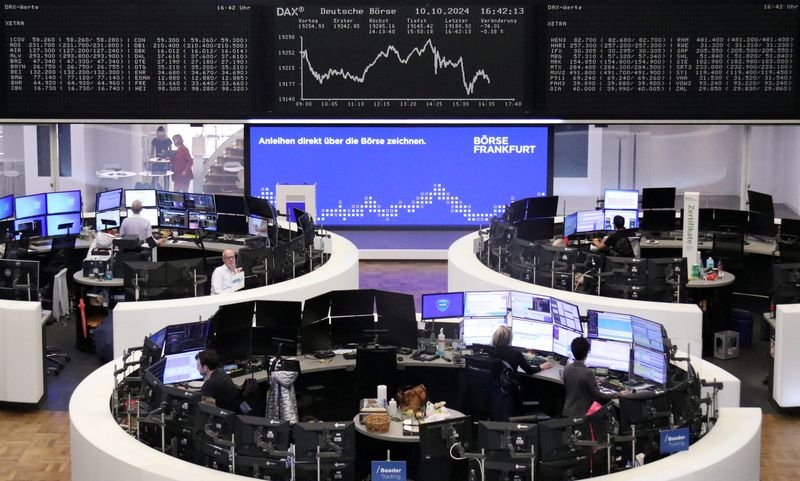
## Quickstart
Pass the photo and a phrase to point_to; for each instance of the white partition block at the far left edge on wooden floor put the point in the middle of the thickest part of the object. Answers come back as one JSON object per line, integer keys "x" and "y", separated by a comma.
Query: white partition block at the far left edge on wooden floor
{"x": 21, "y": 352}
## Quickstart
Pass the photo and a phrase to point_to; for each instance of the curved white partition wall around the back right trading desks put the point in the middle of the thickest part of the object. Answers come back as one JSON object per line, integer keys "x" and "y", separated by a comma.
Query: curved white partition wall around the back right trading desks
{"x": 684, "y": 322}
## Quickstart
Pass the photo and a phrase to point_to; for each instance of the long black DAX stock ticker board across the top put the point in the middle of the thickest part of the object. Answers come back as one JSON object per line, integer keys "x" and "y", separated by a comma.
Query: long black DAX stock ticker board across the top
{"x": 585, "y": 59}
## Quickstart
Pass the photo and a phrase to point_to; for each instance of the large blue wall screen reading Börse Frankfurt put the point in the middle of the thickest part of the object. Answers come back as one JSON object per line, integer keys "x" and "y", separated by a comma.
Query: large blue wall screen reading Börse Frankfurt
{"x": 390, "y": 175}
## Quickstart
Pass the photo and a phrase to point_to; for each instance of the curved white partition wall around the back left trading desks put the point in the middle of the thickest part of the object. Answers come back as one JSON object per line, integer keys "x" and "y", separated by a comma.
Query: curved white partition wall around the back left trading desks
{"x": 134, "y": 320}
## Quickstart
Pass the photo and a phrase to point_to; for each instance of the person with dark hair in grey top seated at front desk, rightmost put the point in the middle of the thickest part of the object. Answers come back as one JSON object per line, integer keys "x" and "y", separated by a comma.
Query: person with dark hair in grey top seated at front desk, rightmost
{"x": 580, "y": 383}
